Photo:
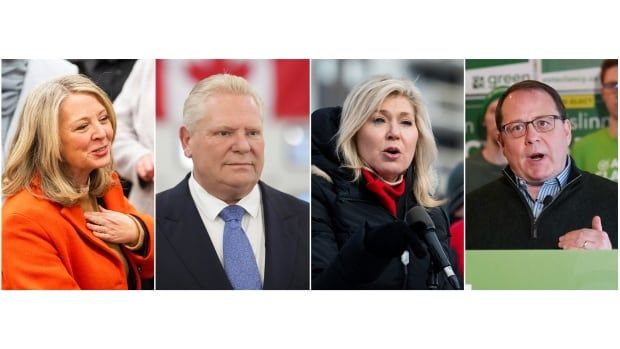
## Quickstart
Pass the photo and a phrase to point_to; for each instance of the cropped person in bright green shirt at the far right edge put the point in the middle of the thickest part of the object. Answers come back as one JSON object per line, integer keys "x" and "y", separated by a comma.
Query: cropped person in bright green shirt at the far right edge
{"x": 598, "y": 152}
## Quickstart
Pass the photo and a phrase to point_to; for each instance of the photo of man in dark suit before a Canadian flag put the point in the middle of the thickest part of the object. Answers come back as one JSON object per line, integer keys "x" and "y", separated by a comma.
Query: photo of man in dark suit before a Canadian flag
{"x": 234, "y": 135}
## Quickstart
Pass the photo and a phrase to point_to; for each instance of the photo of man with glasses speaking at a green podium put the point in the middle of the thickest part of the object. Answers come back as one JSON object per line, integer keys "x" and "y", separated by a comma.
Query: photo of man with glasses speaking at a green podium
{"x": 541, "y": 174}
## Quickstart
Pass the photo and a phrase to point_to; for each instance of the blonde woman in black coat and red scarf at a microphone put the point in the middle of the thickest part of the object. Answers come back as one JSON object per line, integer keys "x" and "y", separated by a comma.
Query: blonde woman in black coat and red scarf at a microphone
{"x": 371, "y": 163}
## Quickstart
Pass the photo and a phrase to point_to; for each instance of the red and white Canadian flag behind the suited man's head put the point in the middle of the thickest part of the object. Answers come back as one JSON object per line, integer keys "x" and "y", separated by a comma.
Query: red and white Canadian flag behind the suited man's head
{"x": 283, "y": 84}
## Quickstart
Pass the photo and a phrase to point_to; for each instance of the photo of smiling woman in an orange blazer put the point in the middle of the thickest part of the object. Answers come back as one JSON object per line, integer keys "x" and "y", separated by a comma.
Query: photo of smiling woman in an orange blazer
{"x": 78, "y": 174}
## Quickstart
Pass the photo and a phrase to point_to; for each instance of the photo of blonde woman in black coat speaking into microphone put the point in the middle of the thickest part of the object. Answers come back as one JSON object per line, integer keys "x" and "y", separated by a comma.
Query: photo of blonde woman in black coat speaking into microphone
{"x": 387, "y": 174}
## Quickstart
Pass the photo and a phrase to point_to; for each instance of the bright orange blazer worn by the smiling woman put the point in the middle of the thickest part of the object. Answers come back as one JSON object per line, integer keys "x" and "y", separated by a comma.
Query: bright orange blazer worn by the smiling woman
{"x": 47, "y": 246}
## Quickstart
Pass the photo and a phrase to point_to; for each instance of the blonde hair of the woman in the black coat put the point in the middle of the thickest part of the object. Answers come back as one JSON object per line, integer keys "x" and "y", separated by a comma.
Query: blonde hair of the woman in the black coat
{"x": 361, "y": 103}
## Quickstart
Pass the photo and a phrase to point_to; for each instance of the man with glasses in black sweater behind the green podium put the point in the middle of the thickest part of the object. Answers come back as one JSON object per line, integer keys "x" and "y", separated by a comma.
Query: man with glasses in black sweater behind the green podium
{"x": 543, "y": 200}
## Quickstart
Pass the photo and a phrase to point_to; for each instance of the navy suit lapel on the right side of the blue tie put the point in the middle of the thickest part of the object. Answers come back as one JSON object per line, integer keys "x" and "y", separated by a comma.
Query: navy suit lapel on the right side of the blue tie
{"x": 280, "y": 242}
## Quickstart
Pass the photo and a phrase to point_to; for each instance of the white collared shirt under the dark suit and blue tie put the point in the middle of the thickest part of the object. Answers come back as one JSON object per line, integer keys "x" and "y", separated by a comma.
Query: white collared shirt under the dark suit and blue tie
{"x": 209, "y": 208}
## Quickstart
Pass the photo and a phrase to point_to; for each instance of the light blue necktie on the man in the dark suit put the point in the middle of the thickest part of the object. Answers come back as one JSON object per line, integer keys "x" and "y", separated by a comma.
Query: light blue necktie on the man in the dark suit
{"x": 239, "y": 260}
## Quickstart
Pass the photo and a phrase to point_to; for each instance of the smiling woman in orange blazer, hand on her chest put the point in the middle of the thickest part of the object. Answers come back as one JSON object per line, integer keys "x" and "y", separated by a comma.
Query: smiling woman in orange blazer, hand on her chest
{"x": 65, "y": 222}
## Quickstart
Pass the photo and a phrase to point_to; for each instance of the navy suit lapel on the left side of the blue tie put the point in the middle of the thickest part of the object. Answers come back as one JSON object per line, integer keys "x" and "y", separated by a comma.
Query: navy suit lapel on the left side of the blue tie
{"x": 186, "y": 233}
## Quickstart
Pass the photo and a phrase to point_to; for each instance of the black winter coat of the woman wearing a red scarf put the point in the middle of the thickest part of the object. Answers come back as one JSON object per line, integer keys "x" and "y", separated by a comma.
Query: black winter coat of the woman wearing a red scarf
{"x": 342, "y": 212}
